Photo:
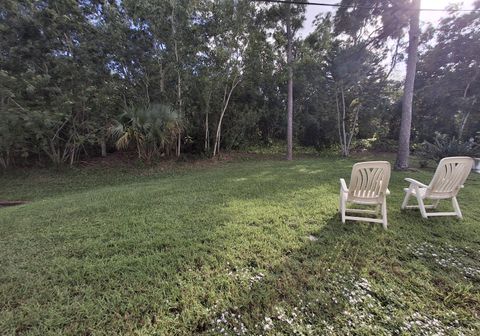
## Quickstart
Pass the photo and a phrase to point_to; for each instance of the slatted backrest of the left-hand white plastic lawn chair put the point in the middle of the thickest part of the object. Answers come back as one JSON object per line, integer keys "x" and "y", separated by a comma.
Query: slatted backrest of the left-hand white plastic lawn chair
{"x": 369, "y": 180}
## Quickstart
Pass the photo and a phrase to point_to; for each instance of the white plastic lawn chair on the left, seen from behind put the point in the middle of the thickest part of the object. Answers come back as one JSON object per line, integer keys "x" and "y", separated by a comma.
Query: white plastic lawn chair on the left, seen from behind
{"x": 368, "y": 186}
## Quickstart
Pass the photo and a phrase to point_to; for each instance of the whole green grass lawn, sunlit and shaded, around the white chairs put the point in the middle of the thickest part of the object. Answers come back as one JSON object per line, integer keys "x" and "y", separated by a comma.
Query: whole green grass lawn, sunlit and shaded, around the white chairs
{"x": 253, "y": 248}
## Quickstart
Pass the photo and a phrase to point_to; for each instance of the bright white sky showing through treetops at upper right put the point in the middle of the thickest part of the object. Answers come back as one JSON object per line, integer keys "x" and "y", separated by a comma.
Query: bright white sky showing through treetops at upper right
{"x": 426, "y": 17}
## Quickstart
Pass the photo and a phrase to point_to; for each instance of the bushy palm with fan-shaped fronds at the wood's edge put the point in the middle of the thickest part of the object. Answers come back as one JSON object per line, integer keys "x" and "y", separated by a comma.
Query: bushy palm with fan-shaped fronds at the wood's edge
{"x": 153, "y": 129}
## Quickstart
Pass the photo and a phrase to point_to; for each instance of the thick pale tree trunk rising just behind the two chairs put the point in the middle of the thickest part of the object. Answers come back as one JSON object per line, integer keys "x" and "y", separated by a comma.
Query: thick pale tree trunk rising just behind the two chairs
{"x": 406, "y": 123}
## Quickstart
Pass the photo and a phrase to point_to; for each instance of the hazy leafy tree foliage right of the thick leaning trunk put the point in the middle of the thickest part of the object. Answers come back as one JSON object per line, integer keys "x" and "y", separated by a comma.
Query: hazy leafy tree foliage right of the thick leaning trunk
{"x": 448, "y": 79}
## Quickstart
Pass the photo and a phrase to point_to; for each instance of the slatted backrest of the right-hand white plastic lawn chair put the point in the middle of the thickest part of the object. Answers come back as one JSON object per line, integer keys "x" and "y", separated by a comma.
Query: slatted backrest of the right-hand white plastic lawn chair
{"x": 449, "y": 177}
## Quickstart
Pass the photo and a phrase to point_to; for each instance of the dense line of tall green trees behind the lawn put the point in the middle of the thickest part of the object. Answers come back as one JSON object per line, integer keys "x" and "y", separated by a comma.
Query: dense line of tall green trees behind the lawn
{"x": 167, "y": 77}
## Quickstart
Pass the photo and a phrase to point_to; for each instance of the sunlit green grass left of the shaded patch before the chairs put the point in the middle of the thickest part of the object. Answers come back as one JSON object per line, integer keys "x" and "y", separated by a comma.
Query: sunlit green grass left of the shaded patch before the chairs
{"x": 116, "y": 257}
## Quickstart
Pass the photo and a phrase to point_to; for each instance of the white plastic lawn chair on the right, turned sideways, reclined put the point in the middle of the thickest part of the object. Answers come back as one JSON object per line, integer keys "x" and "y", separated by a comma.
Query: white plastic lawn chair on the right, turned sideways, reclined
{"x": 449, "y": 177}
